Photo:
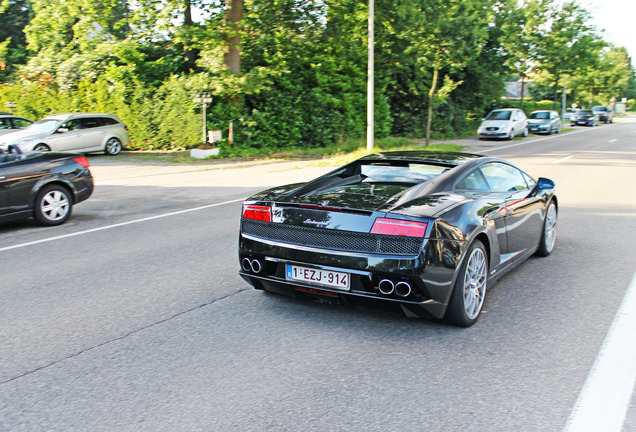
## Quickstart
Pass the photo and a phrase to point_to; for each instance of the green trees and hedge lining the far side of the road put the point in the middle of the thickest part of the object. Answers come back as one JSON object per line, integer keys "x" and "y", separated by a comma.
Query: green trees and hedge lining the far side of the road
{"x": 292, "y": 73}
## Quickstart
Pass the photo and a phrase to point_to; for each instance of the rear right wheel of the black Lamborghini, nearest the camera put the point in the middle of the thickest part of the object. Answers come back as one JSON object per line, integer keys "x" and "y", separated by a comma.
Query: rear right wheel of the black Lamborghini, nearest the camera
{"x": 469, "y": 290}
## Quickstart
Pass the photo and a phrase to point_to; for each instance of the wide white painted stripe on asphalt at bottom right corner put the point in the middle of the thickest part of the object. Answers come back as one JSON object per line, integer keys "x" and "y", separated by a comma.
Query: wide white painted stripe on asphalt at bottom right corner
{"x": 604, "y": 400}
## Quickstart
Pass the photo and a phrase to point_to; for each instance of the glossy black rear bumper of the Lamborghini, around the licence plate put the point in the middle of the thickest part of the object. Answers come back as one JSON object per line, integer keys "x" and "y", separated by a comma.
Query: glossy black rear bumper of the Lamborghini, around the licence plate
{"x": 426, "y": 280}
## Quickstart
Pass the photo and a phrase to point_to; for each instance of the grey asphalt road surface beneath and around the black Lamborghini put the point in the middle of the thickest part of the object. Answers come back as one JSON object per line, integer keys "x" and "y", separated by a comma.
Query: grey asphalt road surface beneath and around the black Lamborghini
{"x": 131, "y": 317}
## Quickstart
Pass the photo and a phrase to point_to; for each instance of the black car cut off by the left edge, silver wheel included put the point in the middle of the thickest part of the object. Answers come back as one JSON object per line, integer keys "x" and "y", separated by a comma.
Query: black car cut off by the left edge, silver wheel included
{"x": 42, "y": 185}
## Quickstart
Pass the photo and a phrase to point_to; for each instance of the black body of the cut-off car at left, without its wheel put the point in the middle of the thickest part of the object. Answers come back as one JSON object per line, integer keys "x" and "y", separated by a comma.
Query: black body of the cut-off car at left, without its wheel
{"x": 23, "y": 175}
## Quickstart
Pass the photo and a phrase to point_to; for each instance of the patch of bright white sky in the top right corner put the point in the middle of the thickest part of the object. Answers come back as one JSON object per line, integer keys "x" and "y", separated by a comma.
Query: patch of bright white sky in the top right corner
{"x": 618, "y": 18}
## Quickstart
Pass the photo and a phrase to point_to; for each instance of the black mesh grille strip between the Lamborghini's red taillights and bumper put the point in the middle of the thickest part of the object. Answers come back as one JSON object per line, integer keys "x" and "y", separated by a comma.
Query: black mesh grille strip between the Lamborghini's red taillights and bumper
{"x": 332, "y": 239}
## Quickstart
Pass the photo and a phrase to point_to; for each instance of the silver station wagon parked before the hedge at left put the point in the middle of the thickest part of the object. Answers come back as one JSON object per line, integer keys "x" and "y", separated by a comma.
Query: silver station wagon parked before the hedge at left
{"x": 81, "y": 132}
